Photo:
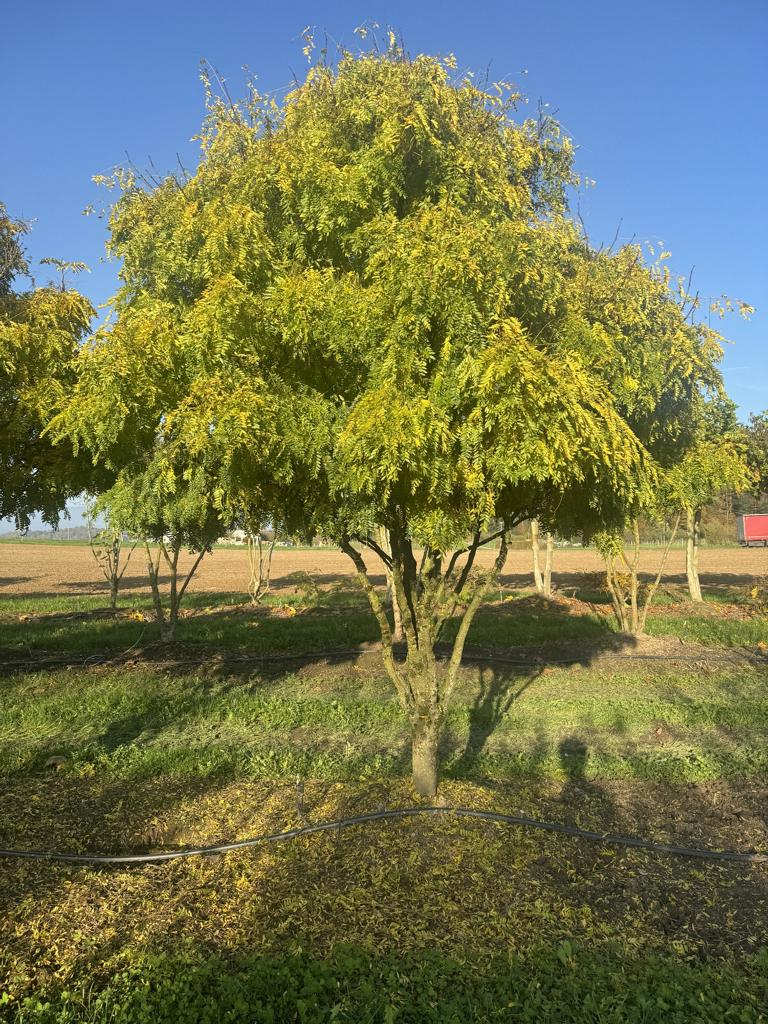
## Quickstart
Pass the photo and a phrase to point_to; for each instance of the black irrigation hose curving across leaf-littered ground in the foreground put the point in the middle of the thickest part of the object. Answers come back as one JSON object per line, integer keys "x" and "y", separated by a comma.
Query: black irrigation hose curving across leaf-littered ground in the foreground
{"x": 407, "y": 813}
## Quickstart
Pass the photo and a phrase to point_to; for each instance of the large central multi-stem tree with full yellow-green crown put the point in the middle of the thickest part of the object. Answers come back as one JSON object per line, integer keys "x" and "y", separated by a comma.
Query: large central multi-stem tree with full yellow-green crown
{"x": 364, "y": 312}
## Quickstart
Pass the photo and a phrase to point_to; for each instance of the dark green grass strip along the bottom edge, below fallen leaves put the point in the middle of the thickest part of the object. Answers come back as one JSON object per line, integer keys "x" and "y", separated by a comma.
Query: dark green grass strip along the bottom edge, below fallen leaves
{"x": 564, "y": 986}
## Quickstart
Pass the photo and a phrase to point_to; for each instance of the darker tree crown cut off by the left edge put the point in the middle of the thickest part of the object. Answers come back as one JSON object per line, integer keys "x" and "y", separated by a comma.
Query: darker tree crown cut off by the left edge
{"x": 41, "y": 330}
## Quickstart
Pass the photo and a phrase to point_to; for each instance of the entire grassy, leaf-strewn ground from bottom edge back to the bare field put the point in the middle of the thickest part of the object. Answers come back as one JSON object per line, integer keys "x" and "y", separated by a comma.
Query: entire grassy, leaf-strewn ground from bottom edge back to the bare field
{"x": 436, "y": 919}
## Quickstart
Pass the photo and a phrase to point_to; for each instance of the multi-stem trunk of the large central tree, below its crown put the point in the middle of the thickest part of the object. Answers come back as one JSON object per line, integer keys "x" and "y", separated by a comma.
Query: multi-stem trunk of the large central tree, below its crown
{"x": 428, "y": 599}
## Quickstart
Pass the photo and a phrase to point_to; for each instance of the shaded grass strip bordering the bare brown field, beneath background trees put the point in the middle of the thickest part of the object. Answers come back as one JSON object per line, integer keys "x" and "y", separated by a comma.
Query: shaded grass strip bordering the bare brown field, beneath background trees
{"x": 336, "y": 619}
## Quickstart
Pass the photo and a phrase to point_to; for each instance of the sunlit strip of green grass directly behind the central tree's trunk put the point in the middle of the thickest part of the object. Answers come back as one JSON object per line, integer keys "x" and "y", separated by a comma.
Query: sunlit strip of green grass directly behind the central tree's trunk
{"x": 635, "y": 724}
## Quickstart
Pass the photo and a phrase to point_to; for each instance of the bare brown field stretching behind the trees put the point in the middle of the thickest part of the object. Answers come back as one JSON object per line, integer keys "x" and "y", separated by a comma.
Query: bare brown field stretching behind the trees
{"x": 47, "y": 570}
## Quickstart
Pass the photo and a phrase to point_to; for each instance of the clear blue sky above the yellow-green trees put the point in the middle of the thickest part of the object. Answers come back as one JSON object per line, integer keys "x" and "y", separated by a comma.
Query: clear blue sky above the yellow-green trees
{"x": 666, "y": 102}
